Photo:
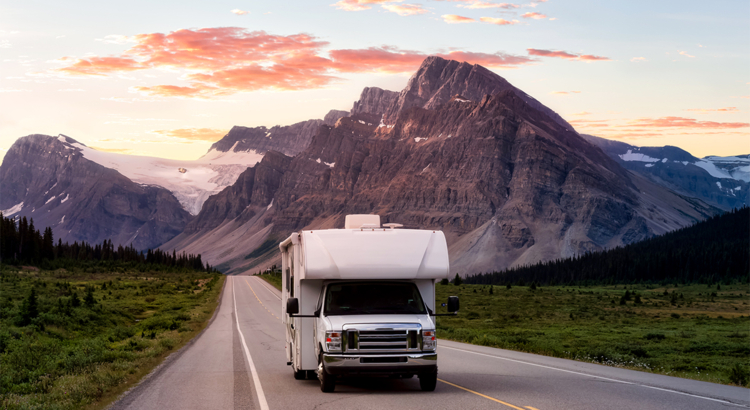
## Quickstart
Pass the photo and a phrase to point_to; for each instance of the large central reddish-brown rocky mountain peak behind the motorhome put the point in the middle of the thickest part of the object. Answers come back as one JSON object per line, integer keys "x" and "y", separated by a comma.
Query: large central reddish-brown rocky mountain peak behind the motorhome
{"x": 505, "y": 179}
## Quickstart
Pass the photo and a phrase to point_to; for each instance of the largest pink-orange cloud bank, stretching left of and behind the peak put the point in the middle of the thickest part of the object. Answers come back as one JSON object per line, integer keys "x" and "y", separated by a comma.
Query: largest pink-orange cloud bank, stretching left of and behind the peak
{"x": 221, "y": 61}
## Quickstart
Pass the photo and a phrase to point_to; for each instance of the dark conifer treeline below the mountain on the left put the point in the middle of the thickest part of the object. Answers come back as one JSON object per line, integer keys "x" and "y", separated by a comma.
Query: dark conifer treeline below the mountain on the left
{"x": 21, "y": 243}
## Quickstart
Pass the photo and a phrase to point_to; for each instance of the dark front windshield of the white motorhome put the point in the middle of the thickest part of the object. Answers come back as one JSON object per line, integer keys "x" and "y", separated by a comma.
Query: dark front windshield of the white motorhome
{"x": 365, "y": 298}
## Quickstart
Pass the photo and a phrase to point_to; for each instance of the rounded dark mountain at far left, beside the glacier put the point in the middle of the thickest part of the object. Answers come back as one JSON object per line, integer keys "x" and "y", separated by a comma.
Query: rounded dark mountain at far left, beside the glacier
{"x": 52, "y": 180}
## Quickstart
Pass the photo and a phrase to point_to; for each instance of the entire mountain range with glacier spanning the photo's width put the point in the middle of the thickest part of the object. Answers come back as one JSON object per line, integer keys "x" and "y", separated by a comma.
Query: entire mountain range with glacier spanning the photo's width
{"x": 459, "y": 149}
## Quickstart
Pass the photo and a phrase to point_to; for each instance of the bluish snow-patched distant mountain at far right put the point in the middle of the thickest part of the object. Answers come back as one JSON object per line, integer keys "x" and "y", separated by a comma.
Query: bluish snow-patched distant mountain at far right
{"x": 723, "y": 182}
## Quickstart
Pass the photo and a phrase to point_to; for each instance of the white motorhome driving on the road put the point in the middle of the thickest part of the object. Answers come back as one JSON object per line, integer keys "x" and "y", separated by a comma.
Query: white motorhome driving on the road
{"x": 361, "y": 301}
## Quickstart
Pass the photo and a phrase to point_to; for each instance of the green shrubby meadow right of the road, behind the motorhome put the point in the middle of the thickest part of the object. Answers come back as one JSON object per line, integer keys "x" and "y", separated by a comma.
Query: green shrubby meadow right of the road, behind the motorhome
{"x": 694, "y": 331}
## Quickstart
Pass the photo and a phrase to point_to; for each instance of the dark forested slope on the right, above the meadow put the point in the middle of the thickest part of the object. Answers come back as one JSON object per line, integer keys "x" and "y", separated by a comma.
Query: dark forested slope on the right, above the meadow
{"x": 711, "y": 251}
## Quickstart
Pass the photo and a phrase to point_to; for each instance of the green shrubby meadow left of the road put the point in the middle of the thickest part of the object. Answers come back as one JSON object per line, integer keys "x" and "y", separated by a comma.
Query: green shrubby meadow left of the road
{"x": 91, "y": 336}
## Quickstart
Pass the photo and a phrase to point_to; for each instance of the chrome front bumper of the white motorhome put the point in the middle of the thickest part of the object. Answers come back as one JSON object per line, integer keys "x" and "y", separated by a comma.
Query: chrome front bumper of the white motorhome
{"x": 412, "y": 363}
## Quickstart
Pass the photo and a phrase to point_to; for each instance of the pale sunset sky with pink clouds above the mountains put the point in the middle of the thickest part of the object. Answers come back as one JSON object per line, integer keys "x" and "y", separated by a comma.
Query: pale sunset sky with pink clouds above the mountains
{"x": 169, "y": 78}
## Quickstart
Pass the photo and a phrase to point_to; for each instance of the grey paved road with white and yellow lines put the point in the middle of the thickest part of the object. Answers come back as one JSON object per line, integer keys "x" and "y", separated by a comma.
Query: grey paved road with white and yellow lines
{"x": 239, "y": 363}
